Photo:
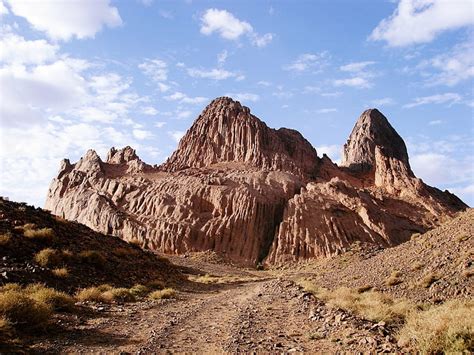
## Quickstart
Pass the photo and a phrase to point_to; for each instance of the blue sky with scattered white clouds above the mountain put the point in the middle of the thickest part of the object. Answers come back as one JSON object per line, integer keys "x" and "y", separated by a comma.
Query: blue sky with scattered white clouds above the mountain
{"x": 86, "y": 74}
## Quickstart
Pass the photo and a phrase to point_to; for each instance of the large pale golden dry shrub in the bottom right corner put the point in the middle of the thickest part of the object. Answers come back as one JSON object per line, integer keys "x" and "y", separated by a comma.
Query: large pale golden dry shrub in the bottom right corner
{"x": 448, "y": 328}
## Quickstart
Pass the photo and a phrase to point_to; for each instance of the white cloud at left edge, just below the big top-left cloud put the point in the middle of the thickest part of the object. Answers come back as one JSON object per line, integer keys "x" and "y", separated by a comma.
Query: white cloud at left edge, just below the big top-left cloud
{"x": 15, "y": 49}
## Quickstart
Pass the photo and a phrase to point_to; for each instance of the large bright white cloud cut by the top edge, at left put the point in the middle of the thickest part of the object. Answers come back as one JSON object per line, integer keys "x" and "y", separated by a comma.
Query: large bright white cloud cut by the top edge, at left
{"x": 62, "y": 20}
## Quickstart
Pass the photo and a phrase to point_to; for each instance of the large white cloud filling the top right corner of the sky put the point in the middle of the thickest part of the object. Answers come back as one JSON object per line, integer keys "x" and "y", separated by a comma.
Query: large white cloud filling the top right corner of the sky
{"x": 420, "y": 21}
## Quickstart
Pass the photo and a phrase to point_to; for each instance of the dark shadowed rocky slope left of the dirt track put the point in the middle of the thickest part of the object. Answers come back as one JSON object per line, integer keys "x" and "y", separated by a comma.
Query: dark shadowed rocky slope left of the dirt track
{"x": 90, "y": 258}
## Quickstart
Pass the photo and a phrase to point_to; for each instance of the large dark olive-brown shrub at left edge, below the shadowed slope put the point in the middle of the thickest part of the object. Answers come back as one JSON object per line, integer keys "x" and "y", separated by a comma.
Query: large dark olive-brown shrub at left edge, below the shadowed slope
{"x": 23, "y": 311}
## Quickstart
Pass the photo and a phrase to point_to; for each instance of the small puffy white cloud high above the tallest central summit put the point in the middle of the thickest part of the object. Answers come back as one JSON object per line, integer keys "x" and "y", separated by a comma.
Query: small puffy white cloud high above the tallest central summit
{"x": 230, "y": 27}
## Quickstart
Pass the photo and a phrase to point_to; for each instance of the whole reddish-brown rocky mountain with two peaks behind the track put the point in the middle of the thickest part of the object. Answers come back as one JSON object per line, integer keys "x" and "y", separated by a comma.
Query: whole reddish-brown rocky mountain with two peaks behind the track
{"x": 254, "y": 194}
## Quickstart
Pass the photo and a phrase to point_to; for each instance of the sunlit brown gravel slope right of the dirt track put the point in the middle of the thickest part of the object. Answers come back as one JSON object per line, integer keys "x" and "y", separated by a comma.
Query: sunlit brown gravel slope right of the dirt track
{"x": 433, "y": 267}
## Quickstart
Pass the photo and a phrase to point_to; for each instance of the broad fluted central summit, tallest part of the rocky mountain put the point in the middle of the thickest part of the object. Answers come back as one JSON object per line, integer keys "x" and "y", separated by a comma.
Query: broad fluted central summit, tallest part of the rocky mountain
{"x": 227, "y": 132}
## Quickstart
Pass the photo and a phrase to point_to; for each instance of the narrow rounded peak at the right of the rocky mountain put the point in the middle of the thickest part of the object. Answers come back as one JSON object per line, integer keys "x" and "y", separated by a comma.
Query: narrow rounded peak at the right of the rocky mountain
{"x": 372, "y": 130}
